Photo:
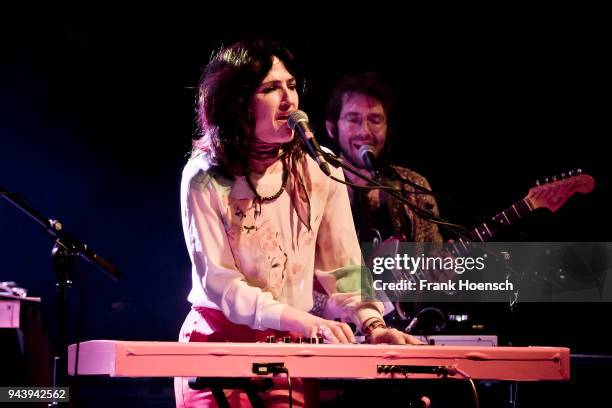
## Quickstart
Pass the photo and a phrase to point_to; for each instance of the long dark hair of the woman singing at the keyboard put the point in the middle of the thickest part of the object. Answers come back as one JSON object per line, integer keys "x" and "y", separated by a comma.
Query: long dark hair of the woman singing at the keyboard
{"x": 227, "y": 84}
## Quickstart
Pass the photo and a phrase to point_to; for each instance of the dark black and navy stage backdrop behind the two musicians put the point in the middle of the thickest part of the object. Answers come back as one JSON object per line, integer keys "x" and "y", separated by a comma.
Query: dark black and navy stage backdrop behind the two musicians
{"x": 97, "y": 115}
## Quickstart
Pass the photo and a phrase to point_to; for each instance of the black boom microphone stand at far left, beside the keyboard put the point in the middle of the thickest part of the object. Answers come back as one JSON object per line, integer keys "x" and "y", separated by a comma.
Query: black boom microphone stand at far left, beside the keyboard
{"x": 65, "y": 253}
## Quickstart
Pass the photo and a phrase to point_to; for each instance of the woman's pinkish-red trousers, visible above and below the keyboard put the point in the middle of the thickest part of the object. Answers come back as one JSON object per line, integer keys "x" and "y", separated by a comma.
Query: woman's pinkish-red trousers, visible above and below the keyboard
{"x": 204, "y": 324}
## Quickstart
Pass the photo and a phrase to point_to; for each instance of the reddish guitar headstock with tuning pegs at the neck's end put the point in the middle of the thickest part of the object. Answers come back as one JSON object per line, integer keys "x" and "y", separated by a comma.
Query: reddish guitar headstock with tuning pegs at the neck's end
{"x": 553, "y": 193}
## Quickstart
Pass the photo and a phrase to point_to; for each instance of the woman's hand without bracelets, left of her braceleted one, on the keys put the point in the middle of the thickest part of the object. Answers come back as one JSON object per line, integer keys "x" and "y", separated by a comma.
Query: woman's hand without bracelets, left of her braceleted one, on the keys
{"x": 308, "y": 325}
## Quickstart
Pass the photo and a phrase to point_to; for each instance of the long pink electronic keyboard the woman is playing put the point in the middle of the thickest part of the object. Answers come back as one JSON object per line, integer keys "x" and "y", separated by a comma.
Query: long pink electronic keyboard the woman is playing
{"x": 368, "y": 361}
